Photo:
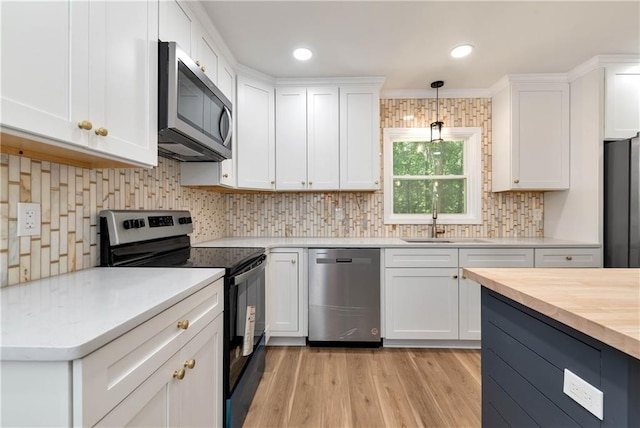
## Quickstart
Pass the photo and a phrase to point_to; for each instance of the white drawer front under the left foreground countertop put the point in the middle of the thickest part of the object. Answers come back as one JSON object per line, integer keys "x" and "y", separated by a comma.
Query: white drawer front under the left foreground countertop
{"x": 109, "y": 374}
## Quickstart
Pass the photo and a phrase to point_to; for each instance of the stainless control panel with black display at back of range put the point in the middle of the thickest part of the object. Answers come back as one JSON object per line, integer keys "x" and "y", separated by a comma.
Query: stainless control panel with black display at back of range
{"x": 128, "y": 226}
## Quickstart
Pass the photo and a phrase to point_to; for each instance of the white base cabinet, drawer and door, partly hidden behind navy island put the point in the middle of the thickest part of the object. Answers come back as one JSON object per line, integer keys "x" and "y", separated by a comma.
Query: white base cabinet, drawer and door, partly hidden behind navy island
{"x": 469, "y": 302}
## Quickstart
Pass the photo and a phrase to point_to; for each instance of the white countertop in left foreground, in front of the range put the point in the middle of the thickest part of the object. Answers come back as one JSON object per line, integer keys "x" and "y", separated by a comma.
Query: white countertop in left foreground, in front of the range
{"x": 68, "y": 316}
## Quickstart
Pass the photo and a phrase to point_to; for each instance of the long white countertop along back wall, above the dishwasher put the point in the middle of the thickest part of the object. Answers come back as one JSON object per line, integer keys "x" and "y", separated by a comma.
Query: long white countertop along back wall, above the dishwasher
{"x": 315, "y": 242}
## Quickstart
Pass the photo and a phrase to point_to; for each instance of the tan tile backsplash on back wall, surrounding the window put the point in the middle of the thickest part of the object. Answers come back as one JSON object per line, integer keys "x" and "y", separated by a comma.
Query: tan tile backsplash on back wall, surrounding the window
{"x": 312, "y": 214}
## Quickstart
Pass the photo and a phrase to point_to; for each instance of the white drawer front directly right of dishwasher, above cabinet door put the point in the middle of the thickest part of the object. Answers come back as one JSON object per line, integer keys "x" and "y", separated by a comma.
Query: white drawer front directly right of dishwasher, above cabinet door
{"x": 421, "y": 257}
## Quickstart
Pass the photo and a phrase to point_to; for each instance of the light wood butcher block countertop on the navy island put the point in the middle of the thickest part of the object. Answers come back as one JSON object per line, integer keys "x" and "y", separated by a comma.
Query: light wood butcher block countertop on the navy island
{"x": 601, "y": 303}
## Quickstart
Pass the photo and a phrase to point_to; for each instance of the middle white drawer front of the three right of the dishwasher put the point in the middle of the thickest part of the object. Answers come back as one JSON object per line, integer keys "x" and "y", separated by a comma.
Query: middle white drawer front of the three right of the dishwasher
{"x": 496, "y": 257}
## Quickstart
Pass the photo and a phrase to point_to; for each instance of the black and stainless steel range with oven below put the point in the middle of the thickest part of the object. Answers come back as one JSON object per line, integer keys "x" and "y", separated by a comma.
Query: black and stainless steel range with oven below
{"x": 161, "y": 239}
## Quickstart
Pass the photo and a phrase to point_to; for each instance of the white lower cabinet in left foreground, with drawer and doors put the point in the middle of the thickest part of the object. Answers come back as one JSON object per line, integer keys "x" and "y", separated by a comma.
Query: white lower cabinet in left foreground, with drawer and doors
{"x": 165, "y": 372}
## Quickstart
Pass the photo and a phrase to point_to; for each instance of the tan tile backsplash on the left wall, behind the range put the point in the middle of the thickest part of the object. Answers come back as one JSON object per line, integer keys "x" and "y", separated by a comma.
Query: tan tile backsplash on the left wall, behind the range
{"x": 70, "y": 200}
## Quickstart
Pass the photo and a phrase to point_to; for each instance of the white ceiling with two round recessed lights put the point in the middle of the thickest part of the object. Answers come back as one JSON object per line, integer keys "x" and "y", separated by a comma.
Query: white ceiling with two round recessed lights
{"x": 408, "y": 42}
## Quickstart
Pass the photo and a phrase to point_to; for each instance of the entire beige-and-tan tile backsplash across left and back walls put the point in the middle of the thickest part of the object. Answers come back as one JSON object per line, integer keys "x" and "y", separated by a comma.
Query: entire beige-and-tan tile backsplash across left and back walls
{"x": 71, "y": 198}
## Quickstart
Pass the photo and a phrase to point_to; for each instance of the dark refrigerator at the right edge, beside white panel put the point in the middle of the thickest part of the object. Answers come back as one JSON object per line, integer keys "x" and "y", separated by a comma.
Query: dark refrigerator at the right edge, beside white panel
{"x": 622, "y": 203}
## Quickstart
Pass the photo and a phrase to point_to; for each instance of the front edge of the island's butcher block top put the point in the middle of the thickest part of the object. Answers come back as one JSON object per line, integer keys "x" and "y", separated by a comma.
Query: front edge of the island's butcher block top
{"x": 604, "y": 334}
